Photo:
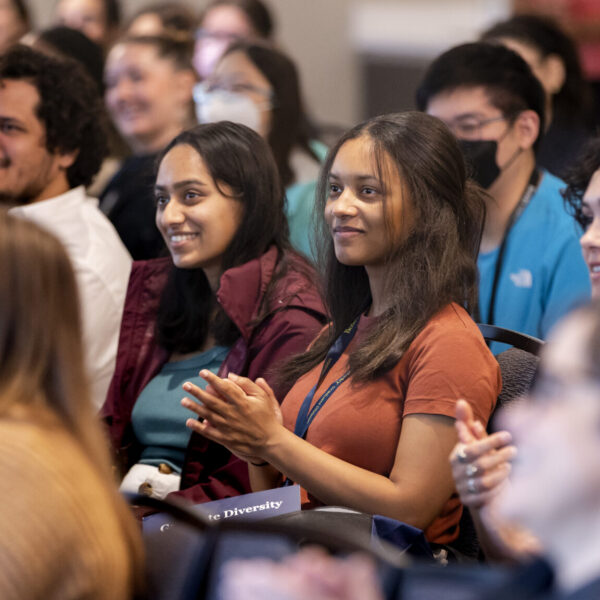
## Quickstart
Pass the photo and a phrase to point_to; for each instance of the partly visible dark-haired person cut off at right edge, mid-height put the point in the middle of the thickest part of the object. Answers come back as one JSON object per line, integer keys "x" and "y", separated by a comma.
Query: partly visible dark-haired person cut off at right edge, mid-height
{"x": 583, "y": 199}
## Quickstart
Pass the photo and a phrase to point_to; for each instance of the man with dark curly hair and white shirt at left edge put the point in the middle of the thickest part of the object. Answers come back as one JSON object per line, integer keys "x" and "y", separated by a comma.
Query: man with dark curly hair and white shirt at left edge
{"x": 52, "y": 143}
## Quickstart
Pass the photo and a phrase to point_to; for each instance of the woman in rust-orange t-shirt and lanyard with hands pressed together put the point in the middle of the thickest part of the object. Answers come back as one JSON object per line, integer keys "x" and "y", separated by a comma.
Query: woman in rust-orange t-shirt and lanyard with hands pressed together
{"x": 369, "y": 422}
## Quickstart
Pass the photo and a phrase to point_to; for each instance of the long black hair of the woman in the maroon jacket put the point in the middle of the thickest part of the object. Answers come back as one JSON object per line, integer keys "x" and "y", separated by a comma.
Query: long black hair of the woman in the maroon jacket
{"x": 239, "y": 158}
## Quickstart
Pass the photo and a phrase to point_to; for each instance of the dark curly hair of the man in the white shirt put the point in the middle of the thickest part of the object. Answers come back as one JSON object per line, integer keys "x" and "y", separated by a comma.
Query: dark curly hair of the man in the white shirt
{"x": 70, "y": 107}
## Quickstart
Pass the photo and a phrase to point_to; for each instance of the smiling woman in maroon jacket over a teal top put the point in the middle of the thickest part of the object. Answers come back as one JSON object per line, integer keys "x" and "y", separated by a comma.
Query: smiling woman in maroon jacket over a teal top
{"x": 232, "y": 297}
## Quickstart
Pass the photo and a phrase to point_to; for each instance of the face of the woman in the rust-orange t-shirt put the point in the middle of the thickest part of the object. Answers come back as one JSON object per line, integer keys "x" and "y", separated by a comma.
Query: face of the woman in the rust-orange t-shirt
{"x": 362, "y": 211}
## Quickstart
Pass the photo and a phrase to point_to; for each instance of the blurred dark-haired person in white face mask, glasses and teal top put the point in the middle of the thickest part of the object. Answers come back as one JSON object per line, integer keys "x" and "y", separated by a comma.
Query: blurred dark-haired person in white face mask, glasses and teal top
{"x": 258, "y": 86}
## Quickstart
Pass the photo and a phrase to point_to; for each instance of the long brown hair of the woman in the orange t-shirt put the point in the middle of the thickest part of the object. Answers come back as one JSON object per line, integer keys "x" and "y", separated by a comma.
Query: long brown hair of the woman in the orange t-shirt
{"x": 430, "y": 266}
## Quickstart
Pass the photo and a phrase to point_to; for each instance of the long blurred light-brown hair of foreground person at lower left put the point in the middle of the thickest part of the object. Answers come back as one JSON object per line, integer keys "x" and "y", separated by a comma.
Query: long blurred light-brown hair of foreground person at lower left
{"x": 42, "y": 373}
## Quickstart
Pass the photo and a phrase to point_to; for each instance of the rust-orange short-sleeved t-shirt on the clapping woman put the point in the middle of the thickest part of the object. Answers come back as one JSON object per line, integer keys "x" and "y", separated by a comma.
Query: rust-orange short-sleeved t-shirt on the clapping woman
{"x": 361, "y": 423}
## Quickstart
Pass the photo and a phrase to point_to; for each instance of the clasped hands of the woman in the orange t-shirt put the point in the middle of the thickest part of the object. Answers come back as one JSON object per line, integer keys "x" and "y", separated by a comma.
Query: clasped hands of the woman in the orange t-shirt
{"x": 236, "y": 412}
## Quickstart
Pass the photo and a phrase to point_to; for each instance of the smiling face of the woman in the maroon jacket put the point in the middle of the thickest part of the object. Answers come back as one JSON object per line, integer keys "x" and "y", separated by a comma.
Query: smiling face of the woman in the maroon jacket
{"x": 197, "y": 218}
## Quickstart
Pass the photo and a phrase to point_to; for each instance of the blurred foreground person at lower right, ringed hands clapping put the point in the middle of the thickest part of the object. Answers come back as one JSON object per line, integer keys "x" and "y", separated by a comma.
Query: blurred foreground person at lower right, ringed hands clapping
{"x": 550, "y": 505}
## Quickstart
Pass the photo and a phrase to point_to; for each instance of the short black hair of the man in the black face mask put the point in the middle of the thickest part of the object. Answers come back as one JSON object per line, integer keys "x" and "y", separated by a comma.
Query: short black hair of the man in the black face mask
{"x": 506, "y": 77}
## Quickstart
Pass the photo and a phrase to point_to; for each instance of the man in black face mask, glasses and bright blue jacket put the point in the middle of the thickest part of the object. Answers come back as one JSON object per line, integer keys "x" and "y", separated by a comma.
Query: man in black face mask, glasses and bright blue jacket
{"x": 530, "y": 264}
